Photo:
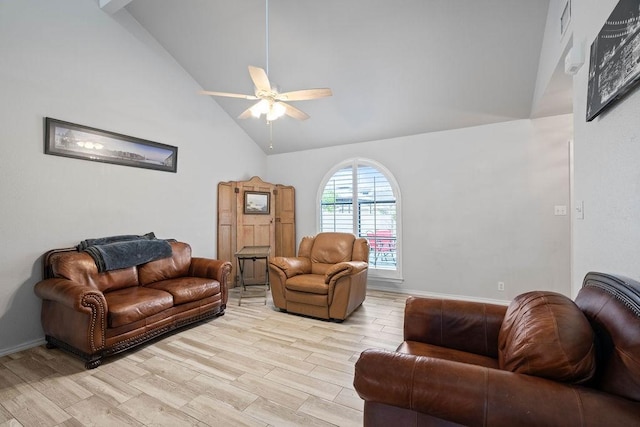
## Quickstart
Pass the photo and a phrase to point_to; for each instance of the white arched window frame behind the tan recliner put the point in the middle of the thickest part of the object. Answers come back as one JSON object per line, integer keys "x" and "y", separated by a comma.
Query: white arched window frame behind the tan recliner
{"x": 388, "y": 275}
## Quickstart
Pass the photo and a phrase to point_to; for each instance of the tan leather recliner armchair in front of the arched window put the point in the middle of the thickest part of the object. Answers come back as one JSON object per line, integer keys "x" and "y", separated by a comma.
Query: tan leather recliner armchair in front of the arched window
{"x": 328, "y": 278}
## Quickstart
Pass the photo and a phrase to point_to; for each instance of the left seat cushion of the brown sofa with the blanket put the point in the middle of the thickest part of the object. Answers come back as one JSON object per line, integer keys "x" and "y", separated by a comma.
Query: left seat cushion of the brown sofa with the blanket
{"x": 135, "y": 303}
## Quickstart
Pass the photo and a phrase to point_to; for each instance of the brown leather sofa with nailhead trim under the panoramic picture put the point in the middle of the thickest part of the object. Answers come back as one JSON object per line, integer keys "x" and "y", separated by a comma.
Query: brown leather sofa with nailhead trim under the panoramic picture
{"x": 96, "y": 314}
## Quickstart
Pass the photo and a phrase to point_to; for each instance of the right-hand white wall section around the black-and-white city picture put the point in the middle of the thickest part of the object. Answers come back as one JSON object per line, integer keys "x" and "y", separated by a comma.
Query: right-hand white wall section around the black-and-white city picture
{"x": 607, "y": 175}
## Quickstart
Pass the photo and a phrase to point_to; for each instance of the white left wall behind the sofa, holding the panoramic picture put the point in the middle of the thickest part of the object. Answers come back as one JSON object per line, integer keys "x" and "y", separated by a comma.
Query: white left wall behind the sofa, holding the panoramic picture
{"x": 71, "y": 61}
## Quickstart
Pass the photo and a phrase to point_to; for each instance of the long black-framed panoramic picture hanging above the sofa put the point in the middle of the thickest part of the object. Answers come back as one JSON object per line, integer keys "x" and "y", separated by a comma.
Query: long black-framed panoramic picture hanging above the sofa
{"x": 86, "y": 143}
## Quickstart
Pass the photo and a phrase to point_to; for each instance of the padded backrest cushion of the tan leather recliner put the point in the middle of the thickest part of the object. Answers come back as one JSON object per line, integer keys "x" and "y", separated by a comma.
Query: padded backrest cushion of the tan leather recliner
{"x": 329, "y": 249}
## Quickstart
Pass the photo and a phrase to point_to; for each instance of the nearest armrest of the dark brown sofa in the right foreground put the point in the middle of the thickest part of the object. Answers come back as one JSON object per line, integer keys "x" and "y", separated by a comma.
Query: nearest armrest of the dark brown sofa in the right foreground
{"x": 475, "y": 395}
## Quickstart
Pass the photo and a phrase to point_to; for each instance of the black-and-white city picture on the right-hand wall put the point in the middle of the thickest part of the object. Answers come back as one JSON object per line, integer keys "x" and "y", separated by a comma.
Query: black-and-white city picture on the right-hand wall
{"x": 614, "y": 64}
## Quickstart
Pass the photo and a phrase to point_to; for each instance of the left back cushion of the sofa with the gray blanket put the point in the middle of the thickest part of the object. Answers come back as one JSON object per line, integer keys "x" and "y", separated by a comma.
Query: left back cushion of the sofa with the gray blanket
{"x": 81, "y": 268}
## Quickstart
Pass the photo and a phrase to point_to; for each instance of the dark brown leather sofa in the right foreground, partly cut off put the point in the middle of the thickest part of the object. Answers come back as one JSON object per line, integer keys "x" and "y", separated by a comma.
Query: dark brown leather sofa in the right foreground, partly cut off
{"x": 542, "y": 361}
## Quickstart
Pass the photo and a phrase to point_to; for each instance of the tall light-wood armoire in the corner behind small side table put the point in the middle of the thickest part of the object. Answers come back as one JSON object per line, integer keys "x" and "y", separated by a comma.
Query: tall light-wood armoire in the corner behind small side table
{"x": 276, "y": 228}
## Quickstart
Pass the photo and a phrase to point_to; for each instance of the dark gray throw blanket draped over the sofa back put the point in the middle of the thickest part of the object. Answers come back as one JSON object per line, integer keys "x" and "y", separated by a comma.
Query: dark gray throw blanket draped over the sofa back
{"x": 115, "y": 252}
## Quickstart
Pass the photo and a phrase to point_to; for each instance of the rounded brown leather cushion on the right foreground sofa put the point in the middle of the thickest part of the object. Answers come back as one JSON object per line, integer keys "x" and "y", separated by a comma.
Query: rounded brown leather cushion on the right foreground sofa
{"x": 545, "y": 334}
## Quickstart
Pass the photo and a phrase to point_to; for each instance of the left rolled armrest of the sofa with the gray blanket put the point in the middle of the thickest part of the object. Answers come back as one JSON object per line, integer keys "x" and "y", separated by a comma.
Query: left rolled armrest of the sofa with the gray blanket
{"x": 72, "y": 295}
